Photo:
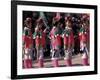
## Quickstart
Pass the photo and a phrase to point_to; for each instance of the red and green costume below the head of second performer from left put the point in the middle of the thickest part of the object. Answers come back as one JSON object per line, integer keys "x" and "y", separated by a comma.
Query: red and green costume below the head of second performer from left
{"x": 40, "y": 40}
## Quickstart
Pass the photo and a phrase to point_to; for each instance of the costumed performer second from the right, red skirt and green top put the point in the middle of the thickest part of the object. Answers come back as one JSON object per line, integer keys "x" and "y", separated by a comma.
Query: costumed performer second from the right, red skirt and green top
{"x": 68, "y": 39}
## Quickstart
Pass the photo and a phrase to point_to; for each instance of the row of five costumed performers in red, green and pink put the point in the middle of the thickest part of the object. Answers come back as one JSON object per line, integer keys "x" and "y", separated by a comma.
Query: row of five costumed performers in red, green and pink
{"x": 39, "y": 39}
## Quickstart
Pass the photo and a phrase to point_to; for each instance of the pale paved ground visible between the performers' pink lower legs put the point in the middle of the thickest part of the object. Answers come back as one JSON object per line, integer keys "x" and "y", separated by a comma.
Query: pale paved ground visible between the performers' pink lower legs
{"x": 76, "y": 61}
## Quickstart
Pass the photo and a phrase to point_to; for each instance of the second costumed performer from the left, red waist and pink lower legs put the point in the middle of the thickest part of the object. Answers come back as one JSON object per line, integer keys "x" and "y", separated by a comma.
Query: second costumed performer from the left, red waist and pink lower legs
{"x": 38, "y": 36}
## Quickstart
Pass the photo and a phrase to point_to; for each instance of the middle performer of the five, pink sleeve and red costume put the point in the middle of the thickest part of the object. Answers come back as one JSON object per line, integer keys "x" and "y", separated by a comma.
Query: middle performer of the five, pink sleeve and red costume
{"x": 55, "y": 43}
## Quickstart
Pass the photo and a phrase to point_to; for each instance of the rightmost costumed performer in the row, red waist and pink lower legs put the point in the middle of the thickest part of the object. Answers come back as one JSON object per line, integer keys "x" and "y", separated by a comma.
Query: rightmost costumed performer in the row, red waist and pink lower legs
{"x": 83, "y": 44}
